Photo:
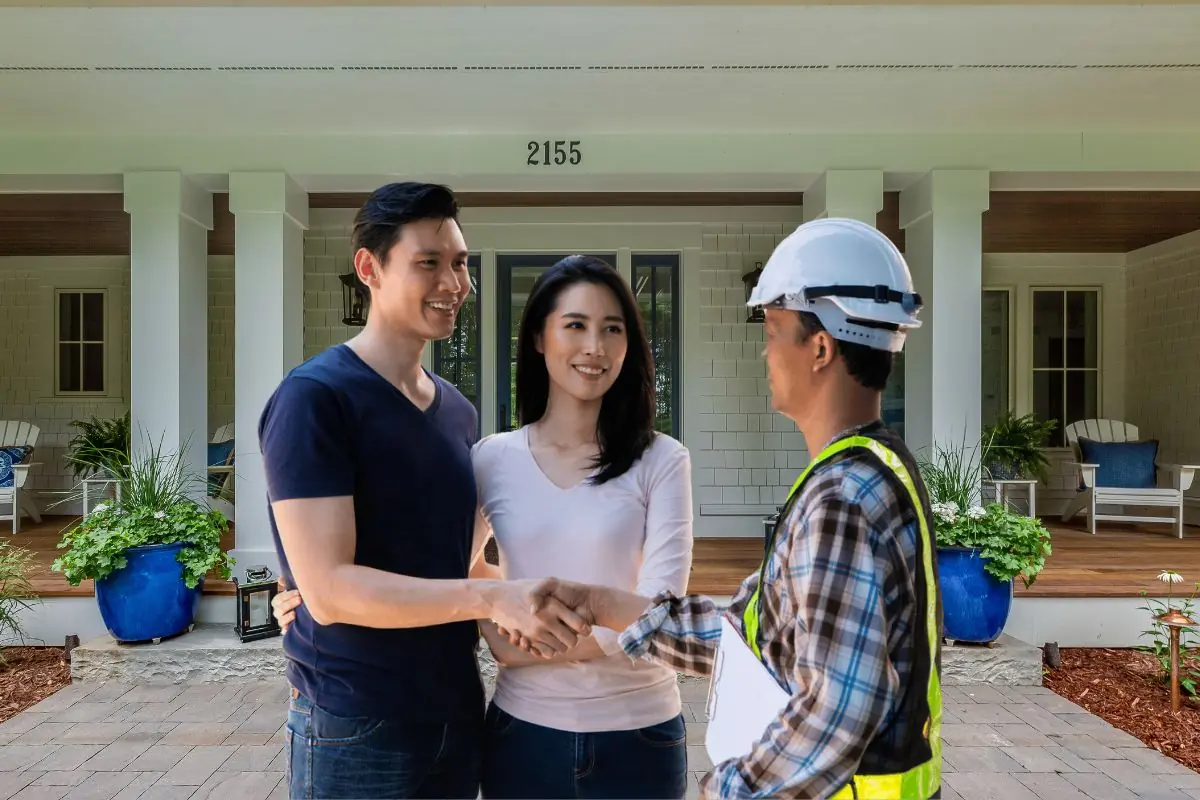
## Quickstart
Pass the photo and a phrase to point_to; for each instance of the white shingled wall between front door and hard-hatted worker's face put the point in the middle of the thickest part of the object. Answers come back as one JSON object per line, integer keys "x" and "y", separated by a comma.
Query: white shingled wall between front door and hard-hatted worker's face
{"x": 746, "y": 456}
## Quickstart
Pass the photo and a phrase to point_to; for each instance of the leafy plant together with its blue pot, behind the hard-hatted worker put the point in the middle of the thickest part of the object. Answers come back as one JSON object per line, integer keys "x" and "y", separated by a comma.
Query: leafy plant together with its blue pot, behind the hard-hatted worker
{"x": 981, "y": 549}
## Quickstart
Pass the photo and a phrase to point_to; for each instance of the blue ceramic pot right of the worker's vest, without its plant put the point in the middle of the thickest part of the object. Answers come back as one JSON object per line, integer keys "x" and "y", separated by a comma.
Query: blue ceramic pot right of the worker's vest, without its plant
{"x": 975, "y": 605}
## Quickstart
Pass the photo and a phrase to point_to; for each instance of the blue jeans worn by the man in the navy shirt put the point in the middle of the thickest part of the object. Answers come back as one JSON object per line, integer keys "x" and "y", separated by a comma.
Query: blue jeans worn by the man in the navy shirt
{"x": 363, "y": 757}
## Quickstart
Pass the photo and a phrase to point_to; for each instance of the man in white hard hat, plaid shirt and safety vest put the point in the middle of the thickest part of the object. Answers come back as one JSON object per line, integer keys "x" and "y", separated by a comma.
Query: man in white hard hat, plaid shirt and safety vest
{"x": 844, "y": 615}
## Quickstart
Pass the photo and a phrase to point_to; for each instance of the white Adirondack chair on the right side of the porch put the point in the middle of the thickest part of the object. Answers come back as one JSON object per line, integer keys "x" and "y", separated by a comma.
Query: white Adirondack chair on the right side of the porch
{"x": 1094, "y": 496}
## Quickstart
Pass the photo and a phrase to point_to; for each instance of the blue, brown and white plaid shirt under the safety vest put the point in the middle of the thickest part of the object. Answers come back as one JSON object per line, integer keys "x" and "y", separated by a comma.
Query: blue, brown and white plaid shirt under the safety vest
{"x": 837, "y": 621}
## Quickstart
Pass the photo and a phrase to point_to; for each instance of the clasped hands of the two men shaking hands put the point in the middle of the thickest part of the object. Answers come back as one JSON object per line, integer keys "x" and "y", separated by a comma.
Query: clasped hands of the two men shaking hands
{"x": 548, "y": 617}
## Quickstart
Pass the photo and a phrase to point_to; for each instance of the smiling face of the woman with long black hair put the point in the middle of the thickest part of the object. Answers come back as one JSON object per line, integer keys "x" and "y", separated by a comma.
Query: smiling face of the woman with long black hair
{"x": 584, "y": 342}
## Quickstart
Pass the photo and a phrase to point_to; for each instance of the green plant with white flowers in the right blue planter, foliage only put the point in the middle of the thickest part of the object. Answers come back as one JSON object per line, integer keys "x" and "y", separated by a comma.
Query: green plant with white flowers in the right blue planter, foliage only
{"x": 1012, "y": 545}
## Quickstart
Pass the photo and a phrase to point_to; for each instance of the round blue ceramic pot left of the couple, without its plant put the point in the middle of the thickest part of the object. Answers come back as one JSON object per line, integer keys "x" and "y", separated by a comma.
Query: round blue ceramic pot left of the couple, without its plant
{"x": 148, "y": 599}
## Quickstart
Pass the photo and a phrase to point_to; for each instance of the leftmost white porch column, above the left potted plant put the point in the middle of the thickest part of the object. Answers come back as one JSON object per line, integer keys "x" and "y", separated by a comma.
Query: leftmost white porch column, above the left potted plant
{"x": 170, "y": 221}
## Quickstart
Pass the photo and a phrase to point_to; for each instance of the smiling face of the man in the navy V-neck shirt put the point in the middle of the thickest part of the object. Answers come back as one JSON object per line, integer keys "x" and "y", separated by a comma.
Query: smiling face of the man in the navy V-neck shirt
{"x": 423, "y": 284}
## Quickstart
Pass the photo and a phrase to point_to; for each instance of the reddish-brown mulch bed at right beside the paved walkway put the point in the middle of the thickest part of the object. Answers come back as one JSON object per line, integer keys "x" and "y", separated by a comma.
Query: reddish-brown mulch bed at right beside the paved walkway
{"x": 1123, "y": 688}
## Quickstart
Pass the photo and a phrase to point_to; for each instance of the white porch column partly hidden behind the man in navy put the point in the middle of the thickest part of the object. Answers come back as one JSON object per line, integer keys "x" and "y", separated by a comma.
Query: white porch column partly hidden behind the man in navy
{"x": 271, "y": 216}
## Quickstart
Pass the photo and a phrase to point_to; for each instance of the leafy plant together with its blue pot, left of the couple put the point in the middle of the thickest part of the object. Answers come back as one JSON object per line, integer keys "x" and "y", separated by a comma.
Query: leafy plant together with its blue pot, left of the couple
{"x": 149, "y": 550}
